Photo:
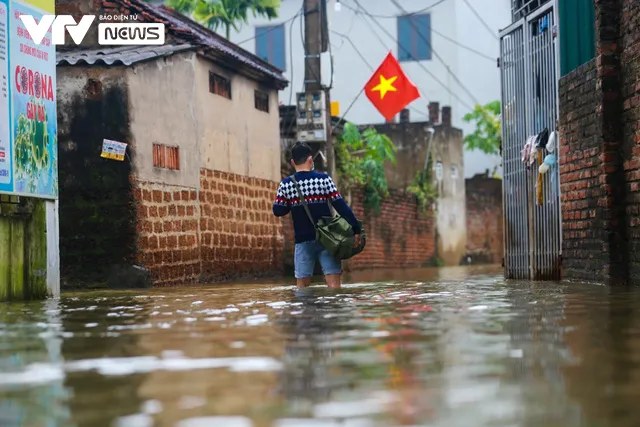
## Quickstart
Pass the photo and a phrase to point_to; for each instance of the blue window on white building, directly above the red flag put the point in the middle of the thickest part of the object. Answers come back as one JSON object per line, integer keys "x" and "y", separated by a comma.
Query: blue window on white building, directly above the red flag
{"x": 414, "y": 37}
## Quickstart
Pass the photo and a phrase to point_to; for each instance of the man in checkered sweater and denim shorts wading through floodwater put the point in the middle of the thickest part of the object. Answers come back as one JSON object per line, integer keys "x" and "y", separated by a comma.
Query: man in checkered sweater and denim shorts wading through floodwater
{"x": 318, "y": 190}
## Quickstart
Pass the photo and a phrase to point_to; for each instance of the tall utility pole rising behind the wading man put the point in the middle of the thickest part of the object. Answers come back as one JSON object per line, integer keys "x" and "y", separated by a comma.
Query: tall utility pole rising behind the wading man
{"x": 316, "y": 41}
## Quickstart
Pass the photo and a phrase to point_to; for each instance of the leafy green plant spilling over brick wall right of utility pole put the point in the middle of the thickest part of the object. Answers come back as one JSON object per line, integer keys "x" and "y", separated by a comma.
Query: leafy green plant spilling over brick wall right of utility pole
{"x": 360, "y": 161}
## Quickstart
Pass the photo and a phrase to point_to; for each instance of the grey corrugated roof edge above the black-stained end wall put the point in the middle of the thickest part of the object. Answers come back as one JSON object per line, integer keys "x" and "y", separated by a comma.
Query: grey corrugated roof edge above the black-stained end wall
{"x": 120, "y": 55}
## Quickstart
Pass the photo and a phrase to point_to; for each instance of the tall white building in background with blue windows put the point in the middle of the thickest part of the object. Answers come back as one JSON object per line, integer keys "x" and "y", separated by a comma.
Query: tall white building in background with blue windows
{"x": 449, "y": 49}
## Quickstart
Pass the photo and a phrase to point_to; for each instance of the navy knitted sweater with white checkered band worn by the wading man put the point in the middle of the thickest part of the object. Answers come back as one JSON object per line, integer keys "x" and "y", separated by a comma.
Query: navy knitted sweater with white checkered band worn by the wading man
{"x": 318, "y": 189}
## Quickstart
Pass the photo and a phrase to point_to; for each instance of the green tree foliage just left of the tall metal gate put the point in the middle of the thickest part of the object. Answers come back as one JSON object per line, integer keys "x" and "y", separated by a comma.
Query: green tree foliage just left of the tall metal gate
{"x": 487, "y": 136}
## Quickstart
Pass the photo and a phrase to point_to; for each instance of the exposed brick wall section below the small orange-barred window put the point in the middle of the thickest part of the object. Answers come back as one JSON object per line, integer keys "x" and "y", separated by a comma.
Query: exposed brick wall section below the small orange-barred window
{"x": 167, "y": 230}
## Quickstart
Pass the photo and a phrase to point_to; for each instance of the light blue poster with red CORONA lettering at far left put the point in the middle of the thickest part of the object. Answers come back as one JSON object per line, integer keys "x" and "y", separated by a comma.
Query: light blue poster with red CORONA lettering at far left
{"x": 32, "y": 152}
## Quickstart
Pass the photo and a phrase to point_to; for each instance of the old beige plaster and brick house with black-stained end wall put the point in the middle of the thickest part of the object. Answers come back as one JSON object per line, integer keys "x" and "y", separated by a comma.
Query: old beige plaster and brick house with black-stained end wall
{"x": 191, "y": 199}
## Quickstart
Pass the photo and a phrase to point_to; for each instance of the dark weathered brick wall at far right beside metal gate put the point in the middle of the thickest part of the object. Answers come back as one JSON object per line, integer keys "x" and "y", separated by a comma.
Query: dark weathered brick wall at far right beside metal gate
{"x": 600, "y": 170}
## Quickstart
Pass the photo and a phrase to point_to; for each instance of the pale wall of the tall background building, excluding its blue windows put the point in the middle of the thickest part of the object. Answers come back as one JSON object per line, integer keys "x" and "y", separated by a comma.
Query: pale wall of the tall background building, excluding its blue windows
{"x": 453, "y": 24}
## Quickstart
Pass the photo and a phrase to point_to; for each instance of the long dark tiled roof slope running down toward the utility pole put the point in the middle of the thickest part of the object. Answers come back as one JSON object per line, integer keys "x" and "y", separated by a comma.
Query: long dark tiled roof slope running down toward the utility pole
{"x": 195, "y": 34}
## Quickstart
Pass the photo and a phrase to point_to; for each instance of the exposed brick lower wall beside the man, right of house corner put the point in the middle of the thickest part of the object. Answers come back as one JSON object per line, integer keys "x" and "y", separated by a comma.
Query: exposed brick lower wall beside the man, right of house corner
{"x": 240, "y": 234}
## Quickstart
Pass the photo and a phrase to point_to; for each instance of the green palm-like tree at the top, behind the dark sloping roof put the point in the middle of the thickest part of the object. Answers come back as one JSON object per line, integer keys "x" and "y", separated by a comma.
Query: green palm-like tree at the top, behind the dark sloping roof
{"x": 227, "y": 14}
